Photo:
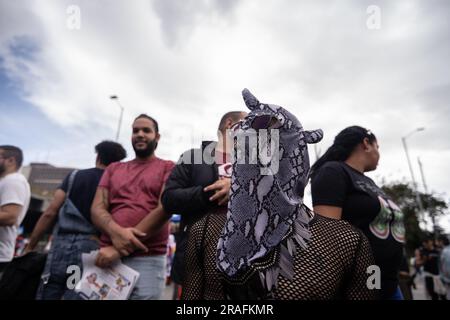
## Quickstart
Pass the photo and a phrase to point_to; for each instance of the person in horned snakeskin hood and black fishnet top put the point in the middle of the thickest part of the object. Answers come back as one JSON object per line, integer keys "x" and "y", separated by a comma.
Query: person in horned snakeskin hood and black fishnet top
{"x": 269, "y": 245}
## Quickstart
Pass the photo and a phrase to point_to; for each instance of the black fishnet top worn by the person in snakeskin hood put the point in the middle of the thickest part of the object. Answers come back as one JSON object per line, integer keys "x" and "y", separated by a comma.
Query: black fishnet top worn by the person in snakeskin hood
{"x": 332, "y": 267}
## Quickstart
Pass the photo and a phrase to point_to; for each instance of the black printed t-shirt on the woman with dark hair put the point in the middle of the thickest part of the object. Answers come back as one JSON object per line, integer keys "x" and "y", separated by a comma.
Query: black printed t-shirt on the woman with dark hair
{"x": 367, "y": 207}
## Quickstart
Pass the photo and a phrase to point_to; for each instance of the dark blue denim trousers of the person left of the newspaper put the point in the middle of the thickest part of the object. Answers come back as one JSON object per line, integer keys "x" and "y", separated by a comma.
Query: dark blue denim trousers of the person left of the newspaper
{"x": 66, "y": 250}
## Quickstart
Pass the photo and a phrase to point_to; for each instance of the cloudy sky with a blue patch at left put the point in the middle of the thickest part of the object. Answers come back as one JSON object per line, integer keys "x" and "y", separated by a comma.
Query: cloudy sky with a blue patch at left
{"x": 332, "y": 63}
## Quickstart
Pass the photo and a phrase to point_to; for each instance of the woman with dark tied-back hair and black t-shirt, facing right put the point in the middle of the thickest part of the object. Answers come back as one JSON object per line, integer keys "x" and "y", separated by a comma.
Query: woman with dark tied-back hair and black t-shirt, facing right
{"x": 341, "y": 190}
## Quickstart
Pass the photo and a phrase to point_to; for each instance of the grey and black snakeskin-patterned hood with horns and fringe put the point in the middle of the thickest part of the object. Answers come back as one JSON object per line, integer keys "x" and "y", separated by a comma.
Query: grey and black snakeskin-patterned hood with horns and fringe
{"x": 266, "y": 219}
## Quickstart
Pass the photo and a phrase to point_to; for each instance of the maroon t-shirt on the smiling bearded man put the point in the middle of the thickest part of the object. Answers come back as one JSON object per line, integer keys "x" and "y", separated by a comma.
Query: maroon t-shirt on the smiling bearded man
{"x": 134, "y": 189}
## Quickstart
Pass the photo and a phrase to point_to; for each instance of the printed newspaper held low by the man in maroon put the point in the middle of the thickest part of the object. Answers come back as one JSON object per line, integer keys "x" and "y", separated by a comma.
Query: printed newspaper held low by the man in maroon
{"x": 113, "y": 283}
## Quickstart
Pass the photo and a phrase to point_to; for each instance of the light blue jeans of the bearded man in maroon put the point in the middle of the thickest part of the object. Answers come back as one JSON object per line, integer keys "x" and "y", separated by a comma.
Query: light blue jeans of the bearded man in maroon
{"x": 151, "y": 282}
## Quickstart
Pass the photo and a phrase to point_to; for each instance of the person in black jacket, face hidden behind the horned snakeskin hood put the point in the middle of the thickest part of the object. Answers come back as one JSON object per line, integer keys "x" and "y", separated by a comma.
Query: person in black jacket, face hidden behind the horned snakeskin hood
{"x": 199, "y": 184}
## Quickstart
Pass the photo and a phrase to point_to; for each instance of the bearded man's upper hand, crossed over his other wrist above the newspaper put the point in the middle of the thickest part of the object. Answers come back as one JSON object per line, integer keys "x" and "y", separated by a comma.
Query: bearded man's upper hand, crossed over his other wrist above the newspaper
{"x": 126, "y": 241}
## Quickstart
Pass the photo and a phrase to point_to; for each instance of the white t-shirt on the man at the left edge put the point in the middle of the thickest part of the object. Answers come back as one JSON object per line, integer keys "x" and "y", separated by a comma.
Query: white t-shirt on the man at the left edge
{"x": 14, "y": 189}
